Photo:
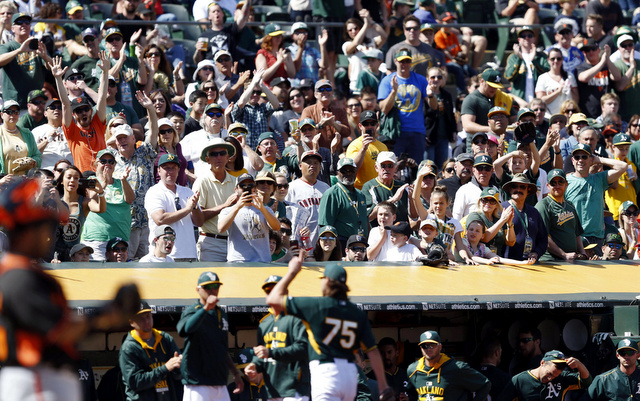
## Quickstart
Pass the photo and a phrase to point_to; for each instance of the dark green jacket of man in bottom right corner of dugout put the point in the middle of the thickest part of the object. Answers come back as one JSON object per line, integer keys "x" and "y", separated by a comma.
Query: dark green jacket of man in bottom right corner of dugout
{"x": 616, "y": 385}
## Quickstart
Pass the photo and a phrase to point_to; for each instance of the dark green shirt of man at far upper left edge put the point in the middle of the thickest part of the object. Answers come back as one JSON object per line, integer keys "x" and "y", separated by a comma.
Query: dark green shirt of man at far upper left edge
{"x": 21, "y": 75}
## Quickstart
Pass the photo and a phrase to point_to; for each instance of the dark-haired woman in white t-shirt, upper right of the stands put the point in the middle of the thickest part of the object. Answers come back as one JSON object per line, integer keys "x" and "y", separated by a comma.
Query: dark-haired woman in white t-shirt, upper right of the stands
{"x": 557, "y": 85}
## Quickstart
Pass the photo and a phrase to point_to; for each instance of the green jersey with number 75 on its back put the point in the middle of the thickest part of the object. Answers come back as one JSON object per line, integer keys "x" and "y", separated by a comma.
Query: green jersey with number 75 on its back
{"x": 336, "y": 328}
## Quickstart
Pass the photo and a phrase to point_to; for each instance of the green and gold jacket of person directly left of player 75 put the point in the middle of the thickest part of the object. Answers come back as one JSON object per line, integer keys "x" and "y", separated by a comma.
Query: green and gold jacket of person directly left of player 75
{"x": 287, "y": 368}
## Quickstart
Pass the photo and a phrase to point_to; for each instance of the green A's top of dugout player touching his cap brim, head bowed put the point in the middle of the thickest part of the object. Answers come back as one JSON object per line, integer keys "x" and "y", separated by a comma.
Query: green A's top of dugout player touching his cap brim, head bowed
{"x": 525, "y": 387}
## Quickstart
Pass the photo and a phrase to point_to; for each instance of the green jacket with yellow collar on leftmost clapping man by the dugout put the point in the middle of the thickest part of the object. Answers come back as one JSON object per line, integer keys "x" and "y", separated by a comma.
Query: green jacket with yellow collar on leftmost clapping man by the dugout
{"x": 143, "y": 371}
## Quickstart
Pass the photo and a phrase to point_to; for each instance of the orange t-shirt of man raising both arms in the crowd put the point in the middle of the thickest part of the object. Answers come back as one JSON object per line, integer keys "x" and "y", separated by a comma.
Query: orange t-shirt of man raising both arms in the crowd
{"x": 86, "y": 143}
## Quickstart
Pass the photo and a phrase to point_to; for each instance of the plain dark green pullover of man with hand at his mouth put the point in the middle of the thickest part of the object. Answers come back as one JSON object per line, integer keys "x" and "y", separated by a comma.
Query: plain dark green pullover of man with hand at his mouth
{"x": 206, "y": 334}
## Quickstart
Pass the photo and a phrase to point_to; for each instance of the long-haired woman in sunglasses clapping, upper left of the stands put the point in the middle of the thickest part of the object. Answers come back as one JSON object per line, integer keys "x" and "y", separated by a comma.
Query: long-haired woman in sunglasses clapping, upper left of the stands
{"x": 164, "y": 77}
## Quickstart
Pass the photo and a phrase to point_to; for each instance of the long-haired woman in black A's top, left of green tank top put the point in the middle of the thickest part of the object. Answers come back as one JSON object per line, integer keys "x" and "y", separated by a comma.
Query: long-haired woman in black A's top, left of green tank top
{"x": 80, "y": 199}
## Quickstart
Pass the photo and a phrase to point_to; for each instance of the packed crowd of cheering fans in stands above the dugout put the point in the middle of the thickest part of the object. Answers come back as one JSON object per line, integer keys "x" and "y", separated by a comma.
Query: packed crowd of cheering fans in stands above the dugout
{"x": 256, "y": 143}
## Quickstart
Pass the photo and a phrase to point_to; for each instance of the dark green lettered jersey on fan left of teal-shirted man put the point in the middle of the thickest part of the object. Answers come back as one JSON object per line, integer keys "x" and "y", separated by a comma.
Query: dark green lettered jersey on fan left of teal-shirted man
{"x": 562, "y": 222}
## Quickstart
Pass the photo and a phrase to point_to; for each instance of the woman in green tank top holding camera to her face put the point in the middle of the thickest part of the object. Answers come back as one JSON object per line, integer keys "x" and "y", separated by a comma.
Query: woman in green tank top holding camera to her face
{"x": 115, "y": 221}
